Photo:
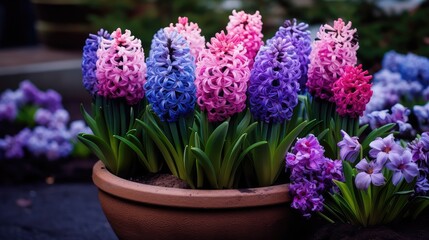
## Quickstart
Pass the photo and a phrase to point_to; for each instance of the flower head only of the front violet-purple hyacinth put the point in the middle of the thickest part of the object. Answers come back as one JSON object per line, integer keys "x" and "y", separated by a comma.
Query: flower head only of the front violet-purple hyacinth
{"x": 273, "y": 86}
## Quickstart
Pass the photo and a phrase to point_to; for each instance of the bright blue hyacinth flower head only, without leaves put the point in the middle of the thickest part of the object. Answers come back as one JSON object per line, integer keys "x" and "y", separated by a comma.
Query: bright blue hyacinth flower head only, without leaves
{"x": 170, "y": 87}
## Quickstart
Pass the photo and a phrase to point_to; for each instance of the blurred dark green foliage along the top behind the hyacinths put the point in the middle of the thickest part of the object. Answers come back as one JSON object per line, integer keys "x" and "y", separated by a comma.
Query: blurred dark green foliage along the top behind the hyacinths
{"x": 378, "y": 31}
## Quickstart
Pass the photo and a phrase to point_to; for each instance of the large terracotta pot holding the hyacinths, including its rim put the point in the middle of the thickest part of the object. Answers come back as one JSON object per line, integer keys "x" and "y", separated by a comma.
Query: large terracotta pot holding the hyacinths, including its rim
{"x": 141, "y": 211}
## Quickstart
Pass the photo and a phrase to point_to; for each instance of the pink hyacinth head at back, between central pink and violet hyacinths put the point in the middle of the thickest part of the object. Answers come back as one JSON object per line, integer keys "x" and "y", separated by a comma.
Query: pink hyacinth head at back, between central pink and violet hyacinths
{"x": 248, "y": 28}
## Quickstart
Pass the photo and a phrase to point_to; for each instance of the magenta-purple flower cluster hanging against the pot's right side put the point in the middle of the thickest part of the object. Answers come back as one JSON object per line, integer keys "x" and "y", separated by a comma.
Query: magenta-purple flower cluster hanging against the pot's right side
{"x": 311, "y": 175}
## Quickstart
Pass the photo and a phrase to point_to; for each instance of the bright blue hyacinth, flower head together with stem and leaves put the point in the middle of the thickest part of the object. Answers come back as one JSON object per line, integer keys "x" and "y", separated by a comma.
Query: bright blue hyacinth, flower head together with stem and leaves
{"x": 171, "y": 94}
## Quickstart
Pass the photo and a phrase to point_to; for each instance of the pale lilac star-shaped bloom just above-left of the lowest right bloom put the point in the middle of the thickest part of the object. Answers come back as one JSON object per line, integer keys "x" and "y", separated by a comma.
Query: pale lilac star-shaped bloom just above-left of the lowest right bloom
{"x": 383, "y": 148}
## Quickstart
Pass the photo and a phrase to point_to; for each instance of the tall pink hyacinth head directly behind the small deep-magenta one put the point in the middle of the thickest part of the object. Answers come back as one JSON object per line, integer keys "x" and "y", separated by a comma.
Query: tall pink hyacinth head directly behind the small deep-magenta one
{"x": 334, "y": 49}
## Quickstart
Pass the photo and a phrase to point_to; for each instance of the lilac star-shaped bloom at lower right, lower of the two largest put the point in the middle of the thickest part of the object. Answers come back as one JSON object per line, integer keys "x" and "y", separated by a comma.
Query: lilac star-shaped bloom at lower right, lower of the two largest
{"x": 403, "y": 167}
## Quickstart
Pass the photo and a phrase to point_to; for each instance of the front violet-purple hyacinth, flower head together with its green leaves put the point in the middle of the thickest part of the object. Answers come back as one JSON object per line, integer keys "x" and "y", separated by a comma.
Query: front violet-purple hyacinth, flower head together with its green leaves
{"x": 273, "y": 96}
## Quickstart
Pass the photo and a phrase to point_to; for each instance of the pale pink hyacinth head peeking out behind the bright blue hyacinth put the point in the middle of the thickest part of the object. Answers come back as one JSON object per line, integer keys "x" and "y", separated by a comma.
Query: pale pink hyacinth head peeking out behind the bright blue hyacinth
{"x": 192, "y": 33}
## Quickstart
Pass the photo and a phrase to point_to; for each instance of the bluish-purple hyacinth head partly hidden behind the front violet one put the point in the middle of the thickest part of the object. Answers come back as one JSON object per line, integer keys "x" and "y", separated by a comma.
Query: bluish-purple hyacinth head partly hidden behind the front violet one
{"x": 301, "y": 40}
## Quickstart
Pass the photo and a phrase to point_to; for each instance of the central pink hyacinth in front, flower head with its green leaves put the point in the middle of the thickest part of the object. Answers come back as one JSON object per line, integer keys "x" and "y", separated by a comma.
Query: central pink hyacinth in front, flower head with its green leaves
{"x": 223, "y": 124}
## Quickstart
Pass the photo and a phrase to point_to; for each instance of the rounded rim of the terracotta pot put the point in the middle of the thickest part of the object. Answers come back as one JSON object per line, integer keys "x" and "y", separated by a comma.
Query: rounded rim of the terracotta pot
{"x": 192, "y": 198}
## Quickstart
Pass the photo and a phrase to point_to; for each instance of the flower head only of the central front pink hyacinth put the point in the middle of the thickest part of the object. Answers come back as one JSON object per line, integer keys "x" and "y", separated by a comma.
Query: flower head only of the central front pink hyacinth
{"x": 222, "y": 75}
